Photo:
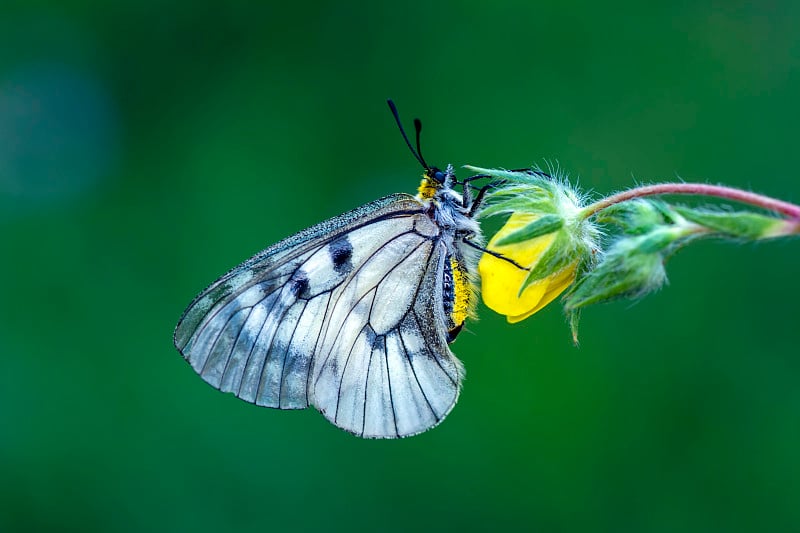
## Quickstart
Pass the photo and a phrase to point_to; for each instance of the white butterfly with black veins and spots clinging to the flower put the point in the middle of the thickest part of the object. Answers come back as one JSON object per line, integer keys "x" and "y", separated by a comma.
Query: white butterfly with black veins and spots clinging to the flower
{"x": 353, "y": 316}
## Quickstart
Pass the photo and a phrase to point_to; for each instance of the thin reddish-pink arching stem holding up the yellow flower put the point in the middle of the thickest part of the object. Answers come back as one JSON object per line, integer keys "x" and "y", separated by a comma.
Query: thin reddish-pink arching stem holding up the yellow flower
{"x": 697, "y": 189}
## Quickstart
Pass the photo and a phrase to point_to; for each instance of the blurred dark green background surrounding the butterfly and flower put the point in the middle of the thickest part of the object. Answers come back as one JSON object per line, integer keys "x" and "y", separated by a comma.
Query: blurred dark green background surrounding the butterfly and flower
{"x": 146, "y": 147}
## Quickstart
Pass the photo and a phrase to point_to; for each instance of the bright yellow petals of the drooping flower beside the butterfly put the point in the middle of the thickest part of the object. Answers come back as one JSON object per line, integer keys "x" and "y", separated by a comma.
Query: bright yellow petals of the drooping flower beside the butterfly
{"x": 501, "y": 281}
